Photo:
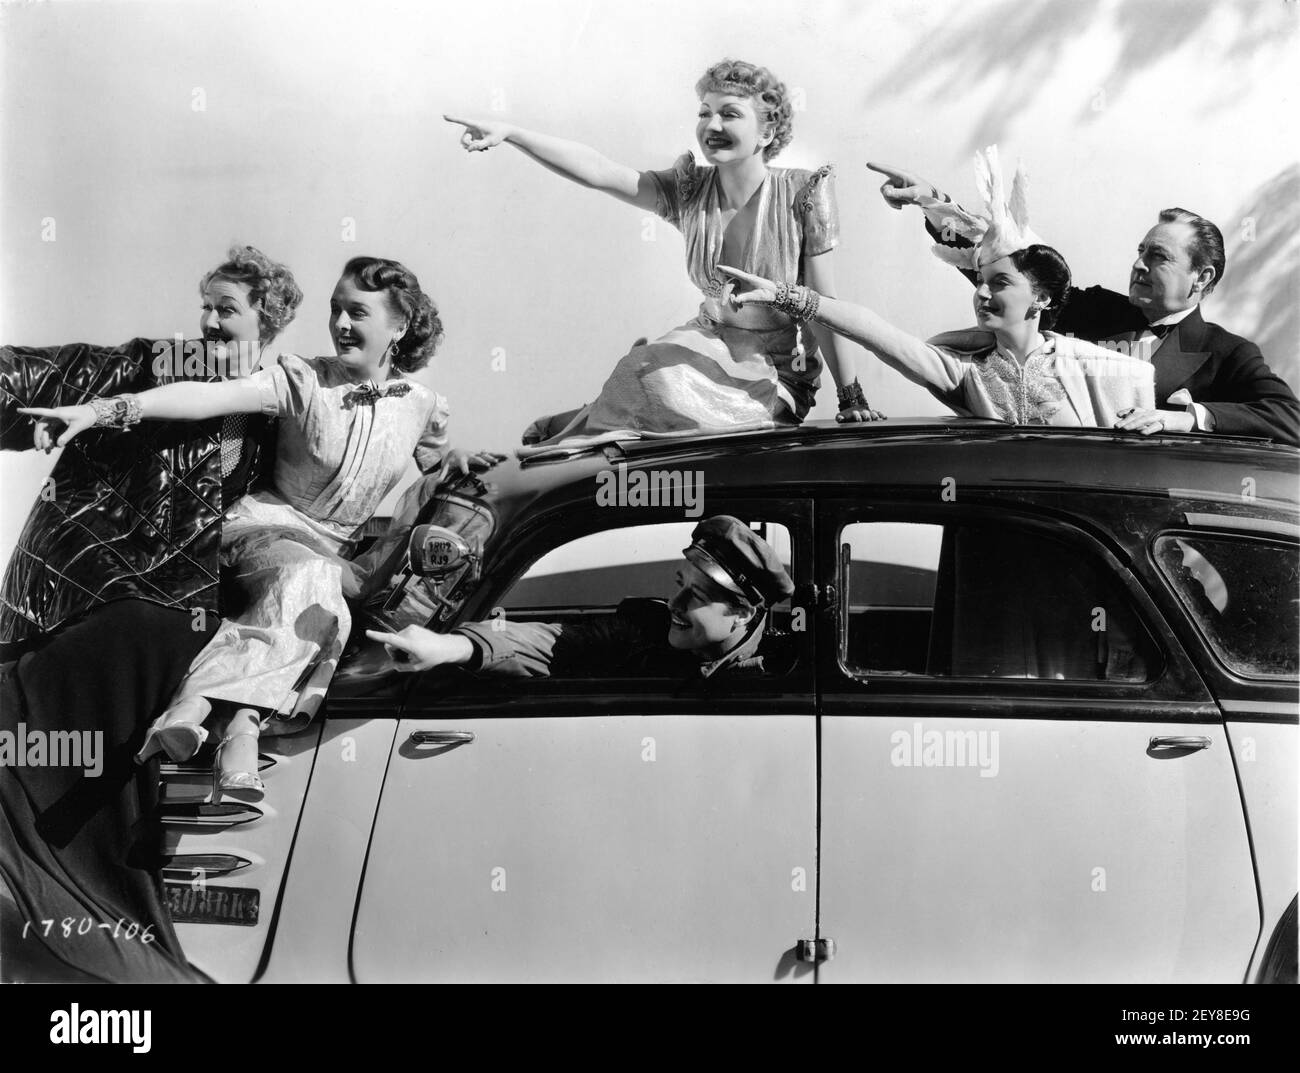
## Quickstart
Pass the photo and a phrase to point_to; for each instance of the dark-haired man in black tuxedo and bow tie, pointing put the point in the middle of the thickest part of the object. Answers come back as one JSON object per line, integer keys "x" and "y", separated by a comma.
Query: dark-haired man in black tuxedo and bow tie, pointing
{"x": 1207, "y": 379}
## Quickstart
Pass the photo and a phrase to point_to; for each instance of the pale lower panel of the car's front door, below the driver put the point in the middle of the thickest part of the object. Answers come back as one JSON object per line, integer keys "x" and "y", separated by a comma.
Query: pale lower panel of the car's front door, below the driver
{"x": 553, "y": 849}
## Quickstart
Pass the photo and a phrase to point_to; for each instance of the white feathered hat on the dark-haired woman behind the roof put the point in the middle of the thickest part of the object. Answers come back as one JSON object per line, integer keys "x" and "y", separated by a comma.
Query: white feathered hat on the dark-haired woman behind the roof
{"x": 1004, "y": 231}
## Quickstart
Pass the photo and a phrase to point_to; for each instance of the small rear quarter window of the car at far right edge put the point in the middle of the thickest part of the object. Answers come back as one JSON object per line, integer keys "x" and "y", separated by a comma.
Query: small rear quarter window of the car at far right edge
{"x": 1243, "y": 596}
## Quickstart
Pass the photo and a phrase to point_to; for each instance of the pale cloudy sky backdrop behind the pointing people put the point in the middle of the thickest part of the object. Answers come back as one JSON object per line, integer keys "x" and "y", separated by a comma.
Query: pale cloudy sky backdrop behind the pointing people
{"x": 151, "y": 136}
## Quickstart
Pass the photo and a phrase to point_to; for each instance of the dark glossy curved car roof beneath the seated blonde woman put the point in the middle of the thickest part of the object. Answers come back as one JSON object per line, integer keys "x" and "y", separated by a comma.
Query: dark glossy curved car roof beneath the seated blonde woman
{"x": 833, "y": 458}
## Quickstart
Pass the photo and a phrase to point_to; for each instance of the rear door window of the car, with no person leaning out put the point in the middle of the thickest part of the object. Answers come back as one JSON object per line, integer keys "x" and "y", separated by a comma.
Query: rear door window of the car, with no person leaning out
{"x": 986, "y": 602}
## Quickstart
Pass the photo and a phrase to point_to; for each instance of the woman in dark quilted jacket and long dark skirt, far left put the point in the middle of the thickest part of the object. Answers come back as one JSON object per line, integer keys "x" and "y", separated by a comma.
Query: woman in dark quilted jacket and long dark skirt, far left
{"x": 111, "y": 594}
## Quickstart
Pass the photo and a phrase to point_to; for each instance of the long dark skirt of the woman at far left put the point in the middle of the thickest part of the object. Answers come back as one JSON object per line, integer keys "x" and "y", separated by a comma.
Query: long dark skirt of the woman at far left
{"x": 84, "y": 851}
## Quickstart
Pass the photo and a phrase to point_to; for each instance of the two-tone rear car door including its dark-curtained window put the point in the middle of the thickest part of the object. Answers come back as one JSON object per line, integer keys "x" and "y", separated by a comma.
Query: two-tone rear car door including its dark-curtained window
{"x": 1022, "y": 776}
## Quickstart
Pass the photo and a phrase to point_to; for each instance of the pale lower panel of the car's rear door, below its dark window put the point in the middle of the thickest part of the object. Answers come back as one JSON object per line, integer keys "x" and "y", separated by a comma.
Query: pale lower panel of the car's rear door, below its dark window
{"x": 938, "y": 873}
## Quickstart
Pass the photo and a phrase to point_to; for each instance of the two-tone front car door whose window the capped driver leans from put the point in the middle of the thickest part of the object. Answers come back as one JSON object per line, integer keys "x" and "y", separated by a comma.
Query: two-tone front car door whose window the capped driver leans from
{"x": 600, "y": 829}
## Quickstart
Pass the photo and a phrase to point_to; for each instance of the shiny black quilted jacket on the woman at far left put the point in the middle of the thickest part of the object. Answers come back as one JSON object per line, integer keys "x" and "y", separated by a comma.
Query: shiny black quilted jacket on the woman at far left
{"x": 127, "y": 514}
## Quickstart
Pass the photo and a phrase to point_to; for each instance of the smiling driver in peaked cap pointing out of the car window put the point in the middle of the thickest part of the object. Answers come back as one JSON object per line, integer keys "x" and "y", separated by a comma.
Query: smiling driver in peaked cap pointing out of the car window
{"x": 714, "y": 624}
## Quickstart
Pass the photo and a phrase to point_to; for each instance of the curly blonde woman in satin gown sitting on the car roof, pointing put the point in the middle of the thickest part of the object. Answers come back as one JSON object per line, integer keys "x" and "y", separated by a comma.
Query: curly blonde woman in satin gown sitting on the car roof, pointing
{"x": 726, "y": 369}
